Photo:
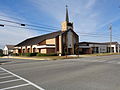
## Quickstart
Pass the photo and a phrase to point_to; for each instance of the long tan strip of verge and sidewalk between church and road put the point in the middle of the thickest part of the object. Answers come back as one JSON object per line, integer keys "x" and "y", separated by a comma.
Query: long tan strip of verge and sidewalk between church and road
{"x": 60, "y": 57}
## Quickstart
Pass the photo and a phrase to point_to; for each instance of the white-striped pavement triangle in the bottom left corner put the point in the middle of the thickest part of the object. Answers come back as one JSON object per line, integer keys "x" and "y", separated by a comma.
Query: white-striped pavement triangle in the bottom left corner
{"x": 11, "y": 81}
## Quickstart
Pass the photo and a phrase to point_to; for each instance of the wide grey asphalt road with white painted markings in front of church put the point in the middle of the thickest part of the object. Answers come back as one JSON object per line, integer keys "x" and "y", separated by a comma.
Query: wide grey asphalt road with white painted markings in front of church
{"x": 91, "y": 73}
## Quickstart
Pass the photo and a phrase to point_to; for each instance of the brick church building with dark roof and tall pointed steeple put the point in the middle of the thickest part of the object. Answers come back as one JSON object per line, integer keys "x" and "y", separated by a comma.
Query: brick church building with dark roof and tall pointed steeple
{"x": 60, "y": 42}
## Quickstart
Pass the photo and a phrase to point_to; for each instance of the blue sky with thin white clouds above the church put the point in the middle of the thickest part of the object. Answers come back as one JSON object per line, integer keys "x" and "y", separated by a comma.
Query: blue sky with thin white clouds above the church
{"x": 89, "y": 17}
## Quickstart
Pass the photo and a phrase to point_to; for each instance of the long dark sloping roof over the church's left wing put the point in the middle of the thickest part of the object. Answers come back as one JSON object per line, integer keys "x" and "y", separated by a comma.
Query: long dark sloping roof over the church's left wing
{"x": 36, "y": 40}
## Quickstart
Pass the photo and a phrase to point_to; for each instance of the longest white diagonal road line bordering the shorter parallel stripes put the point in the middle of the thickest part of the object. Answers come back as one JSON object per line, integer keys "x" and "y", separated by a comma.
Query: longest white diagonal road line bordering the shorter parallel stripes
{"x": 29, "y": 82}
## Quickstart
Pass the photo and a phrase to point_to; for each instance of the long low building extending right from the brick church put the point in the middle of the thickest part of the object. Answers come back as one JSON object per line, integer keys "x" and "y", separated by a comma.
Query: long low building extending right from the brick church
{"x": 93, "y": 47}
